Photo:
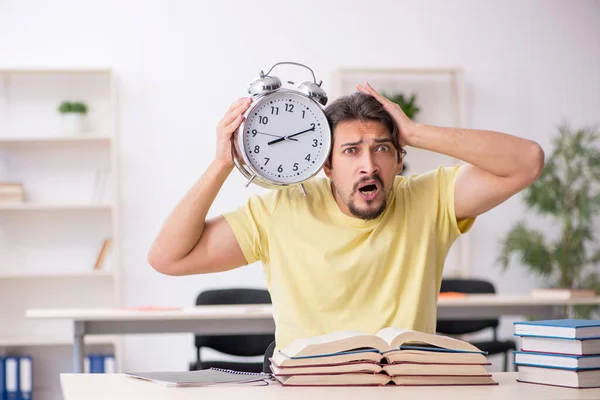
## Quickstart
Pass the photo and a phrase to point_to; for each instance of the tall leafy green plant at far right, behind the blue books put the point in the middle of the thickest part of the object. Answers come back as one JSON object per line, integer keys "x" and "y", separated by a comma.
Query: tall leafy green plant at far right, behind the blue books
{"x": 568, "y": 192}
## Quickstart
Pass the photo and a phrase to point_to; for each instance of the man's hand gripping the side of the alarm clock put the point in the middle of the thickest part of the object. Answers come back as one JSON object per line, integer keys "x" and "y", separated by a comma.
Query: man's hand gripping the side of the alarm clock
{"x": 225, "y": 129}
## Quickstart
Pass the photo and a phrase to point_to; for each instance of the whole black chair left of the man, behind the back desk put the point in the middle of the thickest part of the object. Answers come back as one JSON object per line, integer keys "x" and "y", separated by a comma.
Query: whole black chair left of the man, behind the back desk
{"x": 236, "y": 345}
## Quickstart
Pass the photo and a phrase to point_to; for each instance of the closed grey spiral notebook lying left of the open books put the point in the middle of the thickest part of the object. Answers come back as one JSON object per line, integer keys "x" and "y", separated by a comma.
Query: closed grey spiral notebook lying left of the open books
{"x": 205, "y": 377}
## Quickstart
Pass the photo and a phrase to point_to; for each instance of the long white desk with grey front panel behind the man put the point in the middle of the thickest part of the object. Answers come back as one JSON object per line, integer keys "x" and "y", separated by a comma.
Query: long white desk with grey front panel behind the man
{"x": 245, "y": 319}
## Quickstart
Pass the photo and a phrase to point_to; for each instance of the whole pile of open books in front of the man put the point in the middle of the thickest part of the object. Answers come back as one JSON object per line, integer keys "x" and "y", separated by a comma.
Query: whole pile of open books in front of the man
{"x": 392, "y": 356}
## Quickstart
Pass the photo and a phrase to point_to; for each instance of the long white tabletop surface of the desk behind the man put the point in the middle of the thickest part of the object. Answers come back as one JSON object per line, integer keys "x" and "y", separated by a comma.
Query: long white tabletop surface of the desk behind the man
{"x": 261, "y": 311}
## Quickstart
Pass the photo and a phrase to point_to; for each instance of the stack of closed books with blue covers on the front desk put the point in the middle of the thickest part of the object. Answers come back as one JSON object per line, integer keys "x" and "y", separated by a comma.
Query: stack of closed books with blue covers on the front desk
{"x": 562, "y": 352}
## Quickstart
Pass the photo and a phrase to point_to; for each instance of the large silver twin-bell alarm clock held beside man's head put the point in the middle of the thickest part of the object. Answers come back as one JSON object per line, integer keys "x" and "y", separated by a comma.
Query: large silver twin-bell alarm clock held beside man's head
{"x": 285, "y": 138}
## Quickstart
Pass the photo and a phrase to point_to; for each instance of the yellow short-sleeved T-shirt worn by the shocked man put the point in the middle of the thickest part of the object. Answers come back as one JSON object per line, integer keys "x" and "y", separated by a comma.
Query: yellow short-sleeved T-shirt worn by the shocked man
{"x": 327, "y": 271}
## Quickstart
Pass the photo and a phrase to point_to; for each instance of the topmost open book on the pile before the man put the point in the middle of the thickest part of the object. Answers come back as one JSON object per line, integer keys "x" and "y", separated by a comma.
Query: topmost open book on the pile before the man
{"x": 384, "y": 341}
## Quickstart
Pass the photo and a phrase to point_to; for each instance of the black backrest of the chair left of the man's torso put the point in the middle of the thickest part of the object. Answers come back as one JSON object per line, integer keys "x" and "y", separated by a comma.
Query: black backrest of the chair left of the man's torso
{"x": 237, "y": 345}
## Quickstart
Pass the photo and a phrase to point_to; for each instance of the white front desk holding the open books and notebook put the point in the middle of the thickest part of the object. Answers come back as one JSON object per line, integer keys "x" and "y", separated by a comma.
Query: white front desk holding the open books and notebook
{"x": 119, "y": 386}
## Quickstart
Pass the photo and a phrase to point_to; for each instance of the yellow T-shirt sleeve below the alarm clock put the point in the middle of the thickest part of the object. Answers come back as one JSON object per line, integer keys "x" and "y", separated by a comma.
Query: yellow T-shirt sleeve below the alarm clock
{"x": 250, "y": 224}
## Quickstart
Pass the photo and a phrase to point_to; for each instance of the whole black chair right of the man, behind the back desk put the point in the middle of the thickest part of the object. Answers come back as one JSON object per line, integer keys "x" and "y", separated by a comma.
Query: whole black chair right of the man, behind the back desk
{"x": 461, "y": 327}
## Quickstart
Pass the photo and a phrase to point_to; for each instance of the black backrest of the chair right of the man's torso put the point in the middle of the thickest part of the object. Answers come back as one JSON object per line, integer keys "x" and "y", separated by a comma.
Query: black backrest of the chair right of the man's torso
{"x": 460, "y": 327}
